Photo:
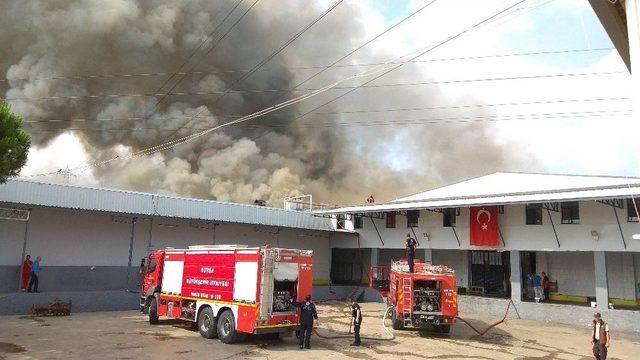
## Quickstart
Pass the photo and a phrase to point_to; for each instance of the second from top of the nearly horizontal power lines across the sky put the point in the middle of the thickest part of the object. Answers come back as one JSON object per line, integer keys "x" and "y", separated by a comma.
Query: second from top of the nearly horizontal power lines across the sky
{"x": 206, "y": 93}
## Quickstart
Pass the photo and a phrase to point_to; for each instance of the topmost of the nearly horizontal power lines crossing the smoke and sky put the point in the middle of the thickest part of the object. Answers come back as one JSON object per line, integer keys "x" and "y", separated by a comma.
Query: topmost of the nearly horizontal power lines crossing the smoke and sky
{"x": 310, "y": 67}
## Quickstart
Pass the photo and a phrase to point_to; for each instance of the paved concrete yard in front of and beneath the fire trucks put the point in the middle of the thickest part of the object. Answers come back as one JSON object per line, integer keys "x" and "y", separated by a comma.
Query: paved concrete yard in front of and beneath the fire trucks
{"x": 127, "y": 335}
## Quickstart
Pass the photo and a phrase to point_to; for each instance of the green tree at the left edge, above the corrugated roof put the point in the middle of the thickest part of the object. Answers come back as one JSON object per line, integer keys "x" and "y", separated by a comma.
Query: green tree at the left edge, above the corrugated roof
{"x": 14, "y": 143}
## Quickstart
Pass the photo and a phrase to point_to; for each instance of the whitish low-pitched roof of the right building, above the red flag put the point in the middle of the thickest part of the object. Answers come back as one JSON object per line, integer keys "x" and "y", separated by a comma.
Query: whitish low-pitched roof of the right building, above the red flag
{"x": 510, "y": 188}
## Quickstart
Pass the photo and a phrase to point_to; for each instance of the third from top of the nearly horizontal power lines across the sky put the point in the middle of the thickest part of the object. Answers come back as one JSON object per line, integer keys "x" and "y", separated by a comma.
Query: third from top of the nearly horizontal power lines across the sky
{"x": 356, "y": 111}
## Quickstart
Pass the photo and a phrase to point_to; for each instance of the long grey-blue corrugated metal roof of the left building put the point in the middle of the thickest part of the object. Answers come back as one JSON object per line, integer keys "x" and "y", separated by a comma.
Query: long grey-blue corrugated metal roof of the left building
{"x": 32, "y": 193}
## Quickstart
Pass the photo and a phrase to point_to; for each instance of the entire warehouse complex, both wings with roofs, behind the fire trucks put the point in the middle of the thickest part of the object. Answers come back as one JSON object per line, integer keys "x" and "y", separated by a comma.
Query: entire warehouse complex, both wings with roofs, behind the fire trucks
{"x": 581, "y": 230}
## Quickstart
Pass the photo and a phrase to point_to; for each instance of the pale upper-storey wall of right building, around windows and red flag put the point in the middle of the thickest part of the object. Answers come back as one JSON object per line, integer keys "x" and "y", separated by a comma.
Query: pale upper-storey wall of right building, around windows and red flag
{"x": 518, "y": 236}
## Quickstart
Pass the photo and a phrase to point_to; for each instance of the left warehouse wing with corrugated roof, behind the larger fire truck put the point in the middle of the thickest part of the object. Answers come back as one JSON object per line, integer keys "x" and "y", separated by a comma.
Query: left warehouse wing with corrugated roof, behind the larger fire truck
{"x": 93, "y": 239}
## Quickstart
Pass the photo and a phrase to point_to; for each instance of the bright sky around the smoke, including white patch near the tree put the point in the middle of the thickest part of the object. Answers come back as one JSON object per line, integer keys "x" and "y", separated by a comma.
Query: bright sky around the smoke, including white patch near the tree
{"x": 570, "y": 143}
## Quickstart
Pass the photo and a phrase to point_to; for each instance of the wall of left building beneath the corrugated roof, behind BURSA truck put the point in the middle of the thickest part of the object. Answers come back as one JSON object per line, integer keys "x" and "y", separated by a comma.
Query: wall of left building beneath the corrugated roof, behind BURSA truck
{"x": 90, "y": 250}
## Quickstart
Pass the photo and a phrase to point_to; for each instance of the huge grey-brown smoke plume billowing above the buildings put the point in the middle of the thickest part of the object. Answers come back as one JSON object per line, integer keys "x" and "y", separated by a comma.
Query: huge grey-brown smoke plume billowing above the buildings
{"x": 267, "y": 158}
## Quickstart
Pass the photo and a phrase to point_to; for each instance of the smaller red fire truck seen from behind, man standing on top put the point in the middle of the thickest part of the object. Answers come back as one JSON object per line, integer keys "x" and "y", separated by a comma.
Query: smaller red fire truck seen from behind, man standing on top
{"x": 426, "y": 298}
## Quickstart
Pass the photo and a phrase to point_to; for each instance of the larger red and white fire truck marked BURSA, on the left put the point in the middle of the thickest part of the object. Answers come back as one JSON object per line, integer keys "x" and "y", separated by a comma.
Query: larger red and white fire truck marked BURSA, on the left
{"x": 227, "y": 290}
